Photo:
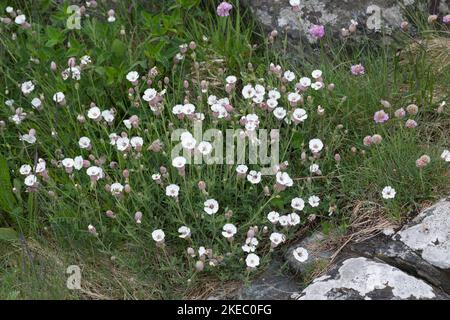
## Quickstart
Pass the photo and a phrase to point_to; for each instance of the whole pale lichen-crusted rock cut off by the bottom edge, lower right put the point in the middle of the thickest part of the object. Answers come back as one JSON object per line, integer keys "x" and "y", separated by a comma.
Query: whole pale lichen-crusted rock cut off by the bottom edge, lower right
{"x": 366, "y": 279}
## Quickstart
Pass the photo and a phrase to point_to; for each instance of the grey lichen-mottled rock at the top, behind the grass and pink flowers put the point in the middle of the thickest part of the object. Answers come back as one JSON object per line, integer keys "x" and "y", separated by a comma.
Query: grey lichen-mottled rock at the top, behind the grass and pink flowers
{"x": 371, "y": 15}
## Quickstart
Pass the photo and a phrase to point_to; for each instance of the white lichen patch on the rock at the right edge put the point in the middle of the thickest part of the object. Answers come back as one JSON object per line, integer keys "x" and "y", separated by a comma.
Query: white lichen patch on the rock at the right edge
{"x": 432, "y": 235}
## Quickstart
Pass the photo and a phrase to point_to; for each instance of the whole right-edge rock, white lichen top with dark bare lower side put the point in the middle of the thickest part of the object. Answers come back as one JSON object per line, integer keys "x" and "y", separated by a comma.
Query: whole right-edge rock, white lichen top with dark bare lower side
{"x": 421, "y": 248}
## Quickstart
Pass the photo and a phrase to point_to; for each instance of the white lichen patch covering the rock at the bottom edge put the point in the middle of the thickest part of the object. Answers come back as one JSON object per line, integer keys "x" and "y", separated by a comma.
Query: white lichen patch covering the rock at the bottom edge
{"x": 364, "y": 276}
